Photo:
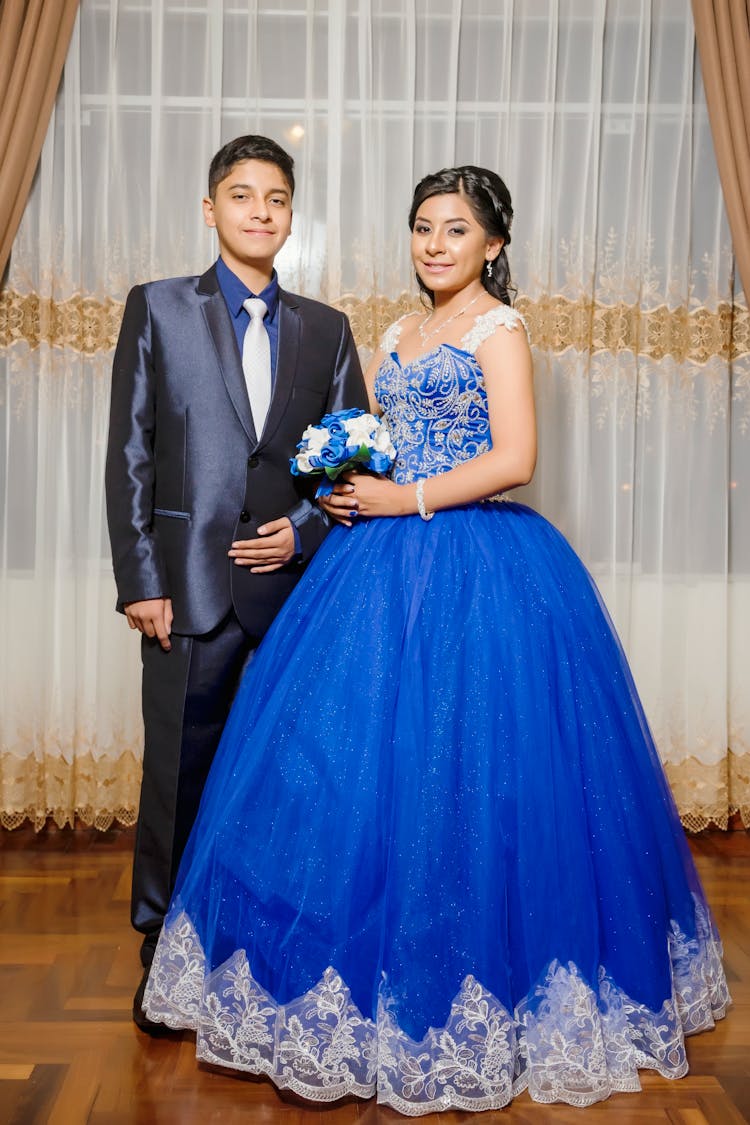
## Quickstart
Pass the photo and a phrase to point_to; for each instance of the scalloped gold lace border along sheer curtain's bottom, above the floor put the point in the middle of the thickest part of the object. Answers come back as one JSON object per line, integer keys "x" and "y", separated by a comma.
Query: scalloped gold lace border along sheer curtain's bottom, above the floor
{"x": 102, "y": 791}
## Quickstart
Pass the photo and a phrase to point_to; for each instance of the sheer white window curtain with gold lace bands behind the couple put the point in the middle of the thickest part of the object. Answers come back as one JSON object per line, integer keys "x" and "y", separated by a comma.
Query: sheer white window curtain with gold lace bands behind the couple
{"x": 593, "y": 111}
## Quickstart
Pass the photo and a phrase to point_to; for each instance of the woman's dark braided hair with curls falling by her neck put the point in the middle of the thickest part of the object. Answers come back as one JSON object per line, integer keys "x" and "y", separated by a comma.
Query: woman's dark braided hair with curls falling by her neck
{"x": 491, "y": 204}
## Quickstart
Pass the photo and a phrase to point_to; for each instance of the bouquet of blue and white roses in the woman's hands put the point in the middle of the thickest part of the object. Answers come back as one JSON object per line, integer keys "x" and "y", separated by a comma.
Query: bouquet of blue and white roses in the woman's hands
{"x": 345, "y": 440}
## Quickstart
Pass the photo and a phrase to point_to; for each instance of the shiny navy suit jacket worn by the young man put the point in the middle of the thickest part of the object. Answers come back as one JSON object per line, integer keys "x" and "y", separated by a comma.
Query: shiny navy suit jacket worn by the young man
{"x": 186, "y": 472}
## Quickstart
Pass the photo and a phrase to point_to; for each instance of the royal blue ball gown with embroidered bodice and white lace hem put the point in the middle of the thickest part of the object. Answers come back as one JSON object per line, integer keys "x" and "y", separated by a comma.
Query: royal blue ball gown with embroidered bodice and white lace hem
{"x": 438, "y": 860}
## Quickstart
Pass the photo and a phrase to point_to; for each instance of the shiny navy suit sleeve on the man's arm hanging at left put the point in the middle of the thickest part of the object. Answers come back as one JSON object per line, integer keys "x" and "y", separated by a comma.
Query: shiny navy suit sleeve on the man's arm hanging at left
{"x": 131, "y": 471}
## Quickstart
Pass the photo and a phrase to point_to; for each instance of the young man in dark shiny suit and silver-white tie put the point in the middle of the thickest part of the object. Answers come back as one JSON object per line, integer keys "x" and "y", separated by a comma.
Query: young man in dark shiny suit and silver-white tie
{"x": 210, "y": 530}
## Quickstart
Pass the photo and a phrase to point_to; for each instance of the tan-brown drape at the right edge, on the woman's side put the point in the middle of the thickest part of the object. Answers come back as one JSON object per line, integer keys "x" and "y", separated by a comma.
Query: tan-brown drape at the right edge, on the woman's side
{"x": 722, "y": 30}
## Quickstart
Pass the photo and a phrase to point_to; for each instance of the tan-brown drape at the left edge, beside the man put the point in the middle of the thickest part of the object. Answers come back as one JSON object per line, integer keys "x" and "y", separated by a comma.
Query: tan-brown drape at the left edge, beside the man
{"x": 34, "y": 41}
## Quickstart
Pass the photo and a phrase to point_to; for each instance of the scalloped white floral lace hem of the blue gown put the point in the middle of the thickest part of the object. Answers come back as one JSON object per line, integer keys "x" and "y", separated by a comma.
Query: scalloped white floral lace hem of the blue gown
{"x": 565, "y": 1042}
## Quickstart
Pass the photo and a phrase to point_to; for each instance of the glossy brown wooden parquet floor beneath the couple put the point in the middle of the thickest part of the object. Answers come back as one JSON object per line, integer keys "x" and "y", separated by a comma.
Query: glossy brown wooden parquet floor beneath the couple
{"x": 70, "y": 1055}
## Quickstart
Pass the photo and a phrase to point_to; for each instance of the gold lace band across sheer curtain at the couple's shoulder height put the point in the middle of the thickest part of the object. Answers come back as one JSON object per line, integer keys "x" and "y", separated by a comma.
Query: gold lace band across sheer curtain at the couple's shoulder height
{"x": 556, "y": 325}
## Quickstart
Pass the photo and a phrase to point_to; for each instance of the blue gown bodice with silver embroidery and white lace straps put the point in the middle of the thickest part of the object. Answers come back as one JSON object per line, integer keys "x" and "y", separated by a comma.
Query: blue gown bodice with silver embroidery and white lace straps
{"x": 436, "y": 407}
